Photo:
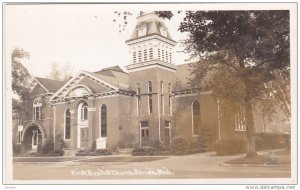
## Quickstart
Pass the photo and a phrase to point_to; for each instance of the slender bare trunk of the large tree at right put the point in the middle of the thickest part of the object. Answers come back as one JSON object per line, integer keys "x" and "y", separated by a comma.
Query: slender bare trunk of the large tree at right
{"x": 251, "y": 151}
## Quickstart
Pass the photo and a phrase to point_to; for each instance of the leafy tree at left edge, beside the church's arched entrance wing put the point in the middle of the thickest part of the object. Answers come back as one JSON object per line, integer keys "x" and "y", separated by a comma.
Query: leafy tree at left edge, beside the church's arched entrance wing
{"x": 20, "y": 81}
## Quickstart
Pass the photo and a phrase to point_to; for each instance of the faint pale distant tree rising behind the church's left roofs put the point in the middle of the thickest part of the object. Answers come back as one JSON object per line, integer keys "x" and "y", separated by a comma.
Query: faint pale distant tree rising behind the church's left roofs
{"x": 61, "y": 73}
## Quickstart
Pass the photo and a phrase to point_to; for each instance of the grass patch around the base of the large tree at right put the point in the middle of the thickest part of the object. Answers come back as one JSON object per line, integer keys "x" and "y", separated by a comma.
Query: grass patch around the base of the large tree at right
{"x": 272, "y": 158}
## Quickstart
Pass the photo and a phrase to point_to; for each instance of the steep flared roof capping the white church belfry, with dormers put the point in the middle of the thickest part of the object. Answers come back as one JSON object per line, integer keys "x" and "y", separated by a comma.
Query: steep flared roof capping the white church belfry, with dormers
{"x": 153, "y": 24}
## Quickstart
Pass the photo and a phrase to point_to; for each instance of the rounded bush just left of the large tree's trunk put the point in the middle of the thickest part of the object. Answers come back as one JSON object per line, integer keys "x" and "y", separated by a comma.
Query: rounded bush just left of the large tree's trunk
{"x": 230, "y": 146}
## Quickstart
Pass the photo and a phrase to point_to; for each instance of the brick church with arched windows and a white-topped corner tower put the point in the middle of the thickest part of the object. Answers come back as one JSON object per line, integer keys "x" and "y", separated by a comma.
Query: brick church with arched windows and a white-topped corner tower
{"x": 150, "y": 101}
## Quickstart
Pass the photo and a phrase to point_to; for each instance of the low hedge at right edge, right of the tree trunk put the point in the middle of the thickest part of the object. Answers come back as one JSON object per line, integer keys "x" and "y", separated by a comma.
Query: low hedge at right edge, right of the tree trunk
{"x": 265, "y": 141}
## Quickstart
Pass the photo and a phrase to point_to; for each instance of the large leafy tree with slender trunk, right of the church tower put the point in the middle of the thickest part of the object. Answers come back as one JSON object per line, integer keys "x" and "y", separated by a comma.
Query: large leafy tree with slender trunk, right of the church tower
{"x": 239, "y": 53}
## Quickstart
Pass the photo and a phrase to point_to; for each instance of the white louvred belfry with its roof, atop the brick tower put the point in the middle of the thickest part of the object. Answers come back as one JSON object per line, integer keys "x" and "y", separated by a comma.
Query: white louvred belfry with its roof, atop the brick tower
{"x": 150, "y": 44}
